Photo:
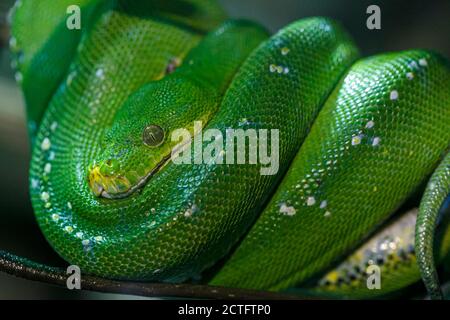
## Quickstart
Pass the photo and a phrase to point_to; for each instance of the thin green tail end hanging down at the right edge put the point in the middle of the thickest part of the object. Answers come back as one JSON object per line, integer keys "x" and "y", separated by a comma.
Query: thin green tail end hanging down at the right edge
{"x": 437, "y": 191}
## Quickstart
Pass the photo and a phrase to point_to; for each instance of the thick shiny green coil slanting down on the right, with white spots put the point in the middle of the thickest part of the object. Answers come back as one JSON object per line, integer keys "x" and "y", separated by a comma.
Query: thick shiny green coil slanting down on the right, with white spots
{"x": 401, "y": 126}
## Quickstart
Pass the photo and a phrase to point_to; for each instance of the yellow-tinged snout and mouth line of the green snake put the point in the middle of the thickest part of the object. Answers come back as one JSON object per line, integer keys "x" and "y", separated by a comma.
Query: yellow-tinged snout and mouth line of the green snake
{"x": 119, "y": 186}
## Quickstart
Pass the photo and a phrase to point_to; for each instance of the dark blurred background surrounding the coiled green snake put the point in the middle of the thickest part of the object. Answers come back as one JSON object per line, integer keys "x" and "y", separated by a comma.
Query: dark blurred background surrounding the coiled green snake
{"x": 406, "y": 24}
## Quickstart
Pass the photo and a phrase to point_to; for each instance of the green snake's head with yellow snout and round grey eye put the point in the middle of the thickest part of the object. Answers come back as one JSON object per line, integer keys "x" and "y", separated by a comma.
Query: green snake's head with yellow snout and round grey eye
{"x": 139, "y": 144}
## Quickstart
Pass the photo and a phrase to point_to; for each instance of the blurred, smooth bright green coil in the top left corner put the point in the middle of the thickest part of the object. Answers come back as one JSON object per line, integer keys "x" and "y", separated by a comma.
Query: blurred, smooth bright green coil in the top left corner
{"x": 41, "y": 68}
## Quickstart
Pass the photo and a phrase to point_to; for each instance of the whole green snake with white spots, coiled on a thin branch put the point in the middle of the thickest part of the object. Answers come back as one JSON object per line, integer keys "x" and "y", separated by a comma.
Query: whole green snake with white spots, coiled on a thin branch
{"x": 357, "y": 138}
